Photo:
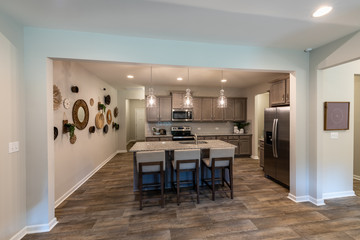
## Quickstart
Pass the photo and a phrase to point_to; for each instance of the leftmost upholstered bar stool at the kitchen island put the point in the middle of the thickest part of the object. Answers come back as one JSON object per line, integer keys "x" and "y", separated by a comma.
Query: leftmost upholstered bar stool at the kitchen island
{"x": 151, "y": 162}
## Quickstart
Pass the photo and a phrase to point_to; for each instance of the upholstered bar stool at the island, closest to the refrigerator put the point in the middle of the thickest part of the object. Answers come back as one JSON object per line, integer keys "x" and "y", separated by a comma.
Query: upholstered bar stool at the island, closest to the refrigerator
{"x": 219, "y": 158}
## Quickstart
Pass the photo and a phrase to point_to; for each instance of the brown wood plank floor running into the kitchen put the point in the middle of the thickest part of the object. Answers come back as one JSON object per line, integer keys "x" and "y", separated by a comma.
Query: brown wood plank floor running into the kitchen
{"x": 105, "y": 207}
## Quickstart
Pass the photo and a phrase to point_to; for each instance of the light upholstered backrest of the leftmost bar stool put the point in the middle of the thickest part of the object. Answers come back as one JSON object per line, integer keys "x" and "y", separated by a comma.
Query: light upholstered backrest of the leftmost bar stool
{"x": 150, "y": 156}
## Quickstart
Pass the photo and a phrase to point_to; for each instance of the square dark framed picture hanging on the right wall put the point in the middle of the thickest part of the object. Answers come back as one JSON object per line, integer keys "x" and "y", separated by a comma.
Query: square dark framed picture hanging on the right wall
{"x": 336, "y": 116}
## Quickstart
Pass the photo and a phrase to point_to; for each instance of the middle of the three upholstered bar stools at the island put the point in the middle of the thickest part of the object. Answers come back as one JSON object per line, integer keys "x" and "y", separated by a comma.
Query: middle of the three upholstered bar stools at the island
{"x": 186, "y": 161}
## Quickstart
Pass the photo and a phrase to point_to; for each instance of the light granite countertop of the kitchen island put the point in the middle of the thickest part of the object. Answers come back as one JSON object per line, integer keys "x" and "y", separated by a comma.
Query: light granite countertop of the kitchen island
{"x": 176, "y": 145}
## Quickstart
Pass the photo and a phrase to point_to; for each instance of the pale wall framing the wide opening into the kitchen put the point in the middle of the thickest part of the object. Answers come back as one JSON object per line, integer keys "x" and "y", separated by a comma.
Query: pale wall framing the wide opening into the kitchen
{"x": 43, "y": 43}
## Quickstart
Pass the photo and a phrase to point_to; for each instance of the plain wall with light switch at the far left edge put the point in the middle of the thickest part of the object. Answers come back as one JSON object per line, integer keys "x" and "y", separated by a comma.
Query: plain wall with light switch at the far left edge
{"x": 12, "y": 121}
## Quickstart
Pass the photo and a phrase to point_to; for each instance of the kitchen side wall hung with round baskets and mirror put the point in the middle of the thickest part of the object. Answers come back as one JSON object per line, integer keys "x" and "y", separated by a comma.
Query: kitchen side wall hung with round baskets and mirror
{"x": 89, "y": 150}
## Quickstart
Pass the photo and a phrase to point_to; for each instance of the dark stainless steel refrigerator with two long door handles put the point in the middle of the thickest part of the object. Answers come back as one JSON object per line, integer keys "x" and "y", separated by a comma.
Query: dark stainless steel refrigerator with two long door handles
{"x": 277, "y": 144}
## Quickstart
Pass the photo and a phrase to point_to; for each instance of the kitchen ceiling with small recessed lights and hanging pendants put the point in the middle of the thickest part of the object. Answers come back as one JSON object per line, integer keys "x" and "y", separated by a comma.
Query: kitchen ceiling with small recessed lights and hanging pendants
{"x": 162, "y": 75}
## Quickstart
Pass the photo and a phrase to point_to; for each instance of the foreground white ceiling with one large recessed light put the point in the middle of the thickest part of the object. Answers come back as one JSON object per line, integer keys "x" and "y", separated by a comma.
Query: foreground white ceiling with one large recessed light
{"x": 275, "y": 23}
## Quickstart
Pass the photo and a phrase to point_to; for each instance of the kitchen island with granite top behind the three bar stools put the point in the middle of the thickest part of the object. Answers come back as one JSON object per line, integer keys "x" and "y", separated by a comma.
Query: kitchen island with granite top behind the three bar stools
{"x": 169, "y": 147}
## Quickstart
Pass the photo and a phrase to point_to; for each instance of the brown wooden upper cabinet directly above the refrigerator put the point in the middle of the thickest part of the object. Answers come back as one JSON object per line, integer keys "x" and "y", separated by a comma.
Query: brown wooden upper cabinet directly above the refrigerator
{"x": 280, "y": 92}
